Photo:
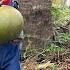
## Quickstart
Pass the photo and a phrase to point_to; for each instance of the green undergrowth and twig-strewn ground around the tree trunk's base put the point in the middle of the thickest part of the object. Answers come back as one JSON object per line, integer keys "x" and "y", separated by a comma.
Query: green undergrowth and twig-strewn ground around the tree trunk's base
{"x": 56, "y": 50}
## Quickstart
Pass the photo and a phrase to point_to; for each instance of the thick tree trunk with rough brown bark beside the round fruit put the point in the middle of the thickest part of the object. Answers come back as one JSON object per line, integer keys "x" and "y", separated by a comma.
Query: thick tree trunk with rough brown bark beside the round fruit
{"x": 38, "y": 26}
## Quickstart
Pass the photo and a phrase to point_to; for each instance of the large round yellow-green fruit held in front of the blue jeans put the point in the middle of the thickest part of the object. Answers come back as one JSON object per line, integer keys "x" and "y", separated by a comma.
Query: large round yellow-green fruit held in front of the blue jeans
{"x": 10, "y": 23}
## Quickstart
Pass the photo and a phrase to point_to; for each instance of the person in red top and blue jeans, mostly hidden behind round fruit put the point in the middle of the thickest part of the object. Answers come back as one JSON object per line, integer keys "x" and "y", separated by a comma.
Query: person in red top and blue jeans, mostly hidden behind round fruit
{"x": 9, "y": 52}
